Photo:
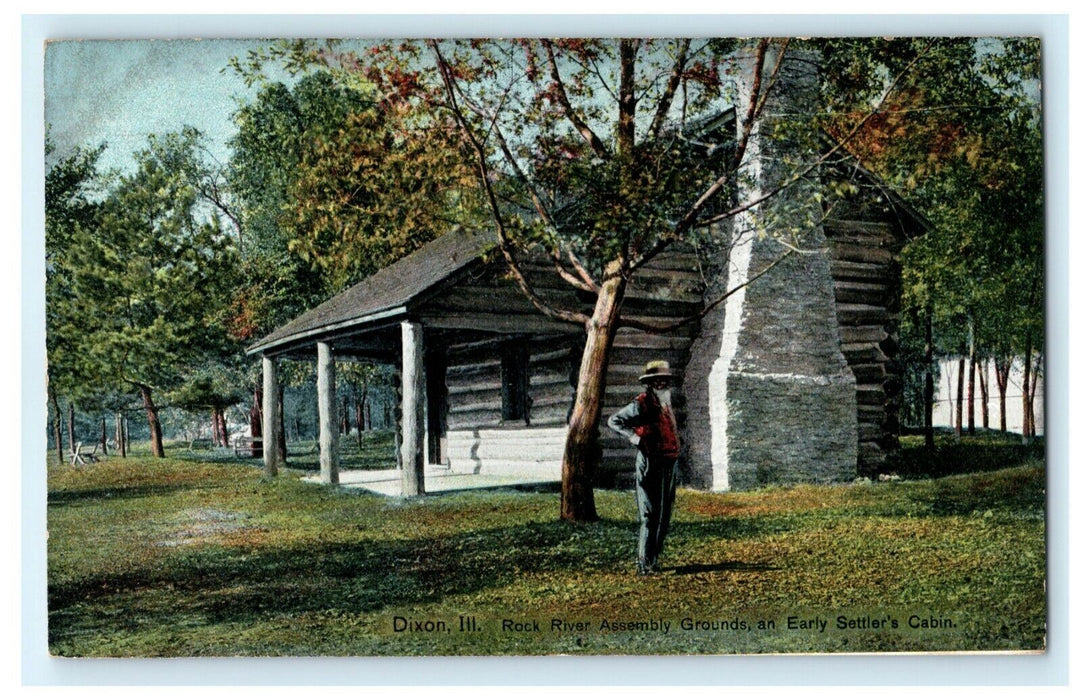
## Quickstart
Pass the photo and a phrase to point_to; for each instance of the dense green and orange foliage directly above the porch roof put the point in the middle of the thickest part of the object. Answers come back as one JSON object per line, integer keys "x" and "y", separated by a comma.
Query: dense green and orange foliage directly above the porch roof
{"x": 332, "y": 189}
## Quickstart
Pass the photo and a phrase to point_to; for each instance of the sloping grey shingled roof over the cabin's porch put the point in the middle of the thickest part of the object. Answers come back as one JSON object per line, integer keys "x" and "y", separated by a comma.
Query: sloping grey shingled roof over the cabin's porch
{"x": 387, "y": 293}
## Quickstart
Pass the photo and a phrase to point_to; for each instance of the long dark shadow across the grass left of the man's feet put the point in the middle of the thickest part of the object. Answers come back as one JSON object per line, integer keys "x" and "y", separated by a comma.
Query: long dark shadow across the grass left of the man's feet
{"x": 238, "y": 586}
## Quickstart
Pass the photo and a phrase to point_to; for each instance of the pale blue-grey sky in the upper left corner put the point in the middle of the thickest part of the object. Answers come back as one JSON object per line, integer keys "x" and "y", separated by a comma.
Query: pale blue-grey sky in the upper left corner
{"x": 121, "y": 92}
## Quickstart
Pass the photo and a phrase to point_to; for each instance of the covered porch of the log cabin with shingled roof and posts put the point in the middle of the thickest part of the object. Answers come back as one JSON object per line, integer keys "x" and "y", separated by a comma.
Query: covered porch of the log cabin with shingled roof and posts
{"x": 484, "y": 385}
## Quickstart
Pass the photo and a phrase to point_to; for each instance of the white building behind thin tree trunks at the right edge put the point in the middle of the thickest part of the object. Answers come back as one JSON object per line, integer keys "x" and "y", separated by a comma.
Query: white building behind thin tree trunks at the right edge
{"x": 944, "y": 410}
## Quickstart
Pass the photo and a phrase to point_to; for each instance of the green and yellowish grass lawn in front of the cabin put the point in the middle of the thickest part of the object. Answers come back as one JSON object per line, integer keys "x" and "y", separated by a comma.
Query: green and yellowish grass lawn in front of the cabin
{"x": 197, "y": 558}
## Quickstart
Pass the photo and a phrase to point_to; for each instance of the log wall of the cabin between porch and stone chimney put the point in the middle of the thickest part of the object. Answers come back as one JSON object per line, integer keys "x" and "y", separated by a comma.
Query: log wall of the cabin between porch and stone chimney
{"x": 479, "y": 438}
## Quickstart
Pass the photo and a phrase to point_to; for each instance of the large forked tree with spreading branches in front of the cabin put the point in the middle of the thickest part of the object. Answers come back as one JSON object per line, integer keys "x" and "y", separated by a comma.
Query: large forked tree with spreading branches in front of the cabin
{"x": 601, "y": 154}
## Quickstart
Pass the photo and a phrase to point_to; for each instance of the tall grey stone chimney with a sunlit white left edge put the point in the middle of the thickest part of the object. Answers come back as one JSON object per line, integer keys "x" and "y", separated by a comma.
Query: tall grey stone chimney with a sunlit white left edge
{"x": 772, "y": 399}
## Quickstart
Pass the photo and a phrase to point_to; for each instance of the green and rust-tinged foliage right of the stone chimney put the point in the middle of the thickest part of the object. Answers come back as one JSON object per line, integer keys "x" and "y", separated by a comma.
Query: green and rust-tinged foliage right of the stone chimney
{"x": 962, "y": 141}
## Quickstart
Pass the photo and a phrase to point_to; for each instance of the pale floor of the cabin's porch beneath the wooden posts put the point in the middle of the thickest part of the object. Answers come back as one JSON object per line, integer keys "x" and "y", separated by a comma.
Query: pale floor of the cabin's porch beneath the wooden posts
{"x": 388, "y": 483}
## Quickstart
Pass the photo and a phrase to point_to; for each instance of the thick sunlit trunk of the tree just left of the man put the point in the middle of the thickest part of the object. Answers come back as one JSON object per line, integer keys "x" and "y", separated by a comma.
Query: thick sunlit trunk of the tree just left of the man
{"x": 583, "y": 451}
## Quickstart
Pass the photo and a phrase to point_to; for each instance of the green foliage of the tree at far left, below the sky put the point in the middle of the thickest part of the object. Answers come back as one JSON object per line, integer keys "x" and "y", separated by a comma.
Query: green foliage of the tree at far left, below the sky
{"x": 149, "y": 280}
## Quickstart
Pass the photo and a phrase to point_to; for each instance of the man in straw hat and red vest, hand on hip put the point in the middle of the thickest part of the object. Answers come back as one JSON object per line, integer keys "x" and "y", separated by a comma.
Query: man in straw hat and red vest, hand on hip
{"x": 649, "y": 424}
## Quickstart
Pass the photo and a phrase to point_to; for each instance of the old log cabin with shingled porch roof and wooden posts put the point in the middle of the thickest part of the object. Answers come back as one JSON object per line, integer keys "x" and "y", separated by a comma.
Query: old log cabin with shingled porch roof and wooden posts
{"x": 487, "y": 382}
